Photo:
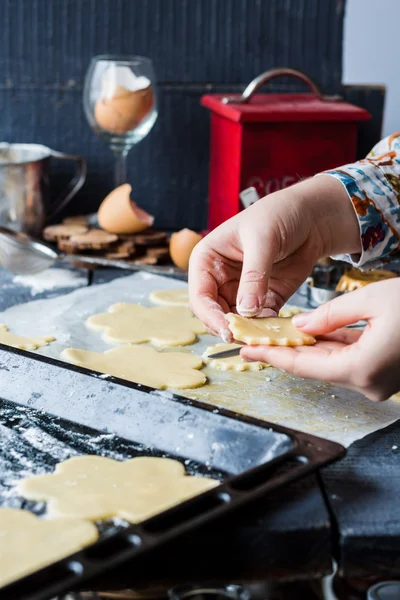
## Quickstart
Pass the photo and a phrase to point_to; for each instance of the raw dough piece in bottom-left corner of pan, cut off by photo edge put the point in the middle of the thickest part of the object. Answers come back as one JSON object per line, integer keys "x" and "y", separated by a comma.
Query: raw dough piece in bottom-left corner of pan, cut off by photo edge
{"x": 29, "y": 544}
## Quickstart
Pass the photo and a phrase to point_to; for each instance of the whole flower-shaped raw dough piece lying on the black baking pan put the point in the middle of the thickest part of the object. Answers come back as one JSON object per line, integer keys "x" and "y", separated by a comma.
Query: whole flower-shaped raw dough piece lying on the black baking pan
{"x": 94, "y": 487}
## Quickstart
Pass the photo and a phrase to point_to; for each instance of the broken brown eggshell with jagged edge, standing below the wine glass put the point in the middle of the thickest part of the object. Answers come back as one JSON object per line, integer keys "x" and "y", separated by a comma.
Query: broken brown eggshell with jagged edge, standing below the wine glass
{"x": 119, "y": 214}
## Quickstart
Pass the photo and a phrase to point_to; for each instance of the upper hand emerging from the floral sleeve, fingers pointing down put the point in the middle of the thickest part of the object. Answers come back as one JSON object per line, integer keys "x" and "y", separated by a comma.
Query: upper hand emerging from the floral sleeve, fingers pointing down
{"x": 254, "y": 262}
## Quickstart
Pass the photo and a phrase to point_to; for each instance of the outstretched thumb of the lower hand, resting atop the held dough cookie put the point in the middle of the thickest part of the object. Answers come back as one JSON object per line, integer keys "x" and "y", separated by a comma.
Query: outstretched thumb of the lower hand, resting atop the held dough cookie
{"x": 342, "y": 311}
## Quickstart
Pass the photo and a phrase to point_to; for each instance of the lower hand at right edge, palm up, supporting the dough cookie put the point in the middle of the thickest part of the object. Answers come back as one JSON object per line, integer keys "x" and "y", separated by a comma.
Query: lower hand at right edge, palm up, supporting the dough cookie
{"x": 365, "y": 361}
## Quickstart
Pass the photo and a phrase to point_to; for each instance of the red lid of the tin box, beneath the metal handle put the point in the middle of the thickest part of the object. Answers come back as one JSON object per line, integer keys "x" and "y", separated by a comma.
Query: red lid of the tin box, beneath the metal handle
{"x": 264, "y": 108}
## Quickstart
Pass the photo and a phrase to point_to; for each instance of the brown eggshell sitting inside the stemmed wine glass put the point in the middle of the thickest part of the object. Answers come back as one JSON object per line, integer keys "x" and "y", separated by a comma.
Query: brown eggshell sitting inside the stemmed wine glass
{"x": 124, "y": 112}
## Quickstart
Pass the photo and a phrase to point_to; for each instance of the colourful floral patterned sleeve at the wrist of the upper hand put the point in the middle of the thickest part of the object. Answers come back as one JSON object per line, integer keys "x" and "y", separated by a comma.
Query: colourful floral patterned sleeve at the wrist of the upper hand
{"x": 373, "y": 186}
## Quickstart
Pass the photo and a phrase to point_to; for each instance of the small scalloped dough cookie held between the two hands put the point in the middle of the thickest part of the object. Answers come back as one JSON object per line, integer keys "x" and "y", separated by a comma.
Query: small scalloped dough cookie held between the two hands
{"x": 267, "y": 331}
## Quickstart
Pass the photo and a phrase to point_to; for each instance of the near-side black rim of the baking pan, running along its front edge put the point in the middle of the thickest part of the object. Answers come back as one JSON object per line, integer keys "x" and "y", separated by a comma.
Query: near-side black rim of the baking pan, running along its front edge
{"x": 103, "y": 557}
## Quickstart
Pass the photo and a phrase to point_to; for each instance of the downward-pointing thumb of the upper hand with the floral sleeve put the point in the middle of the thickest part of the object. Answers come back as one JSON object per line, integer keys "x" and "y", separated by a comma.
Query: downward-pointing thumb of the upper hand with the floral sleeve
{"x": 253, "y": 285}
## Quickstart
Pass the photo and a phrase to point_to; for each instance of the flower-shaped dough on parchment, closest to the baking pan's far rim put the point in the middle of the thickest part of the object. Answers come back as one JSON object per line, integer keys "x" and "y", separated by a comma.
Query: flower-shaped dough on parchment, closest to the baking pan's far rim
{"x": 142, "y": 364}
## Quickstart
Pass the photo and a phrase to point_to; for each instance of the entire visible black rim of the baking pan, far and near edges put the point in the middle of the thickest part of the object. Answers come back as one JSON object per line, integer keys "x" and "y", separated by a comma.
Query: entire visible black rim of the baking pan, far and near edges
{"x": 305, "y": 456}
